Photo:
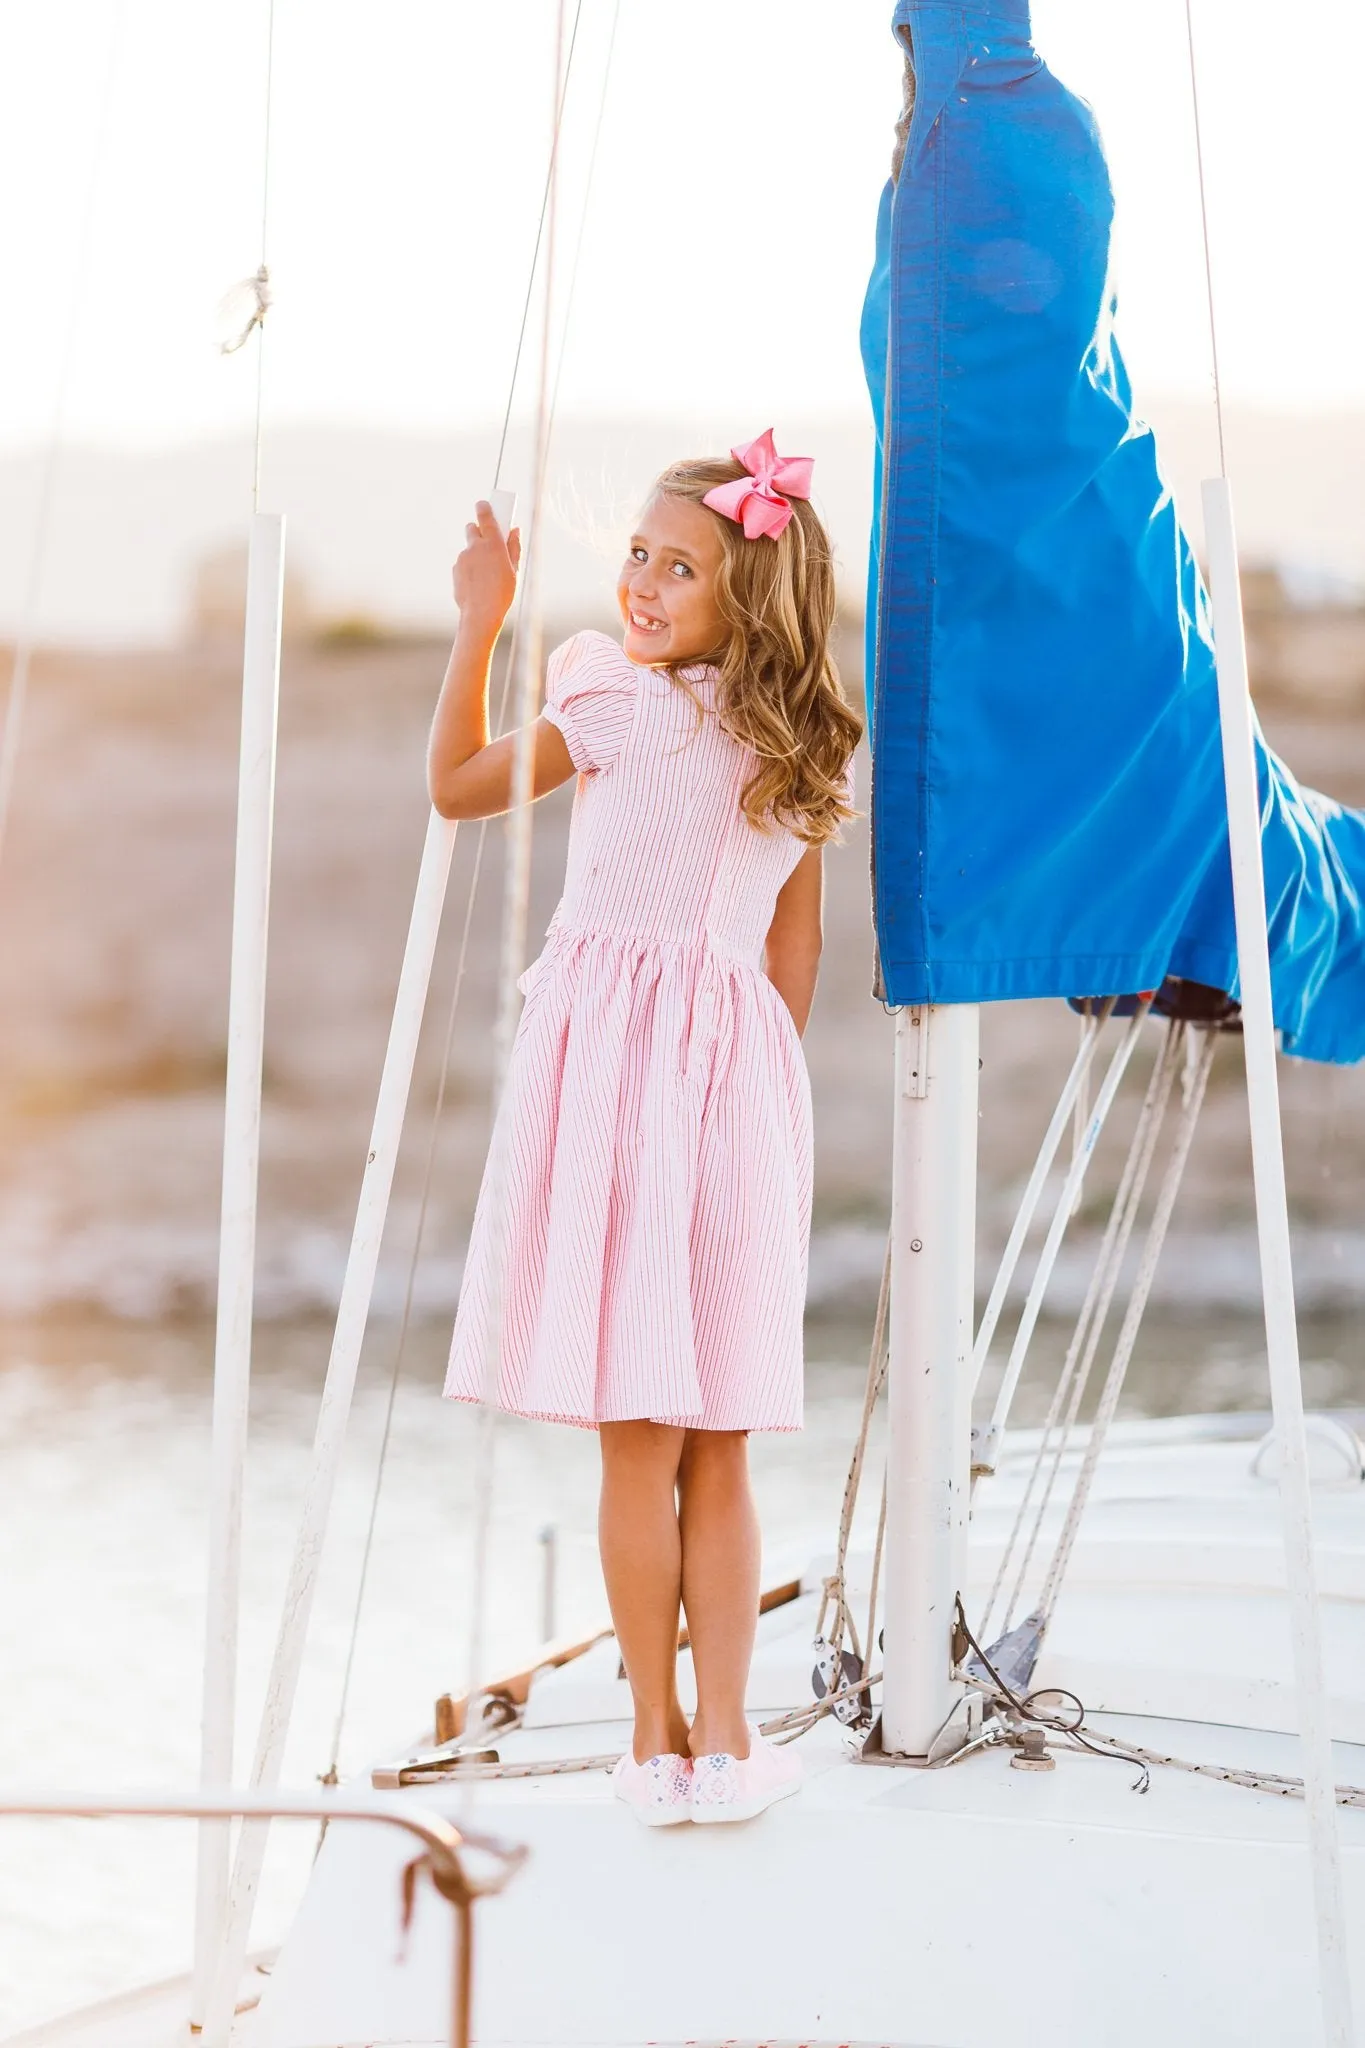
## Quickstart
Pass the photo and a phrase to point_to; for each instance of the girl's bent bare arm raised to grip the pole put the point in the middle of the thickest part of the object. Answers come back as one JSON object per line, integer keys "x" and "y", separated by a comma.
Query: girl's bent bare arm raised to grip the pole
{"x": 468, "y": 775}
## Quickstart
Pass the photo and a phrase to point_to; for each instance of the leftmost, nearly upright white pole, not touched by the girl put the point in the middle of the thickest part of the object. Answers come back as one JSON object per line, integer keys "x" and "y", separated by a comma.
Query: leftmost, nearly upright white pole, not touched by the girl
{"x": 232, "y": 1359}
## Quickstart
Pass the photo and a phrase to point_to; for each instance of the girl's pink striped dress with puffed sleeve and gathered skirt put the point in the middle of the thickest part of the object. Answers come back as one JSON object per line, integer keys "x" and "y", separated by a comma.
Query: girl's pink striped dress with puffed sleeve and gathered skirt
{"x": 640, "y": 1246}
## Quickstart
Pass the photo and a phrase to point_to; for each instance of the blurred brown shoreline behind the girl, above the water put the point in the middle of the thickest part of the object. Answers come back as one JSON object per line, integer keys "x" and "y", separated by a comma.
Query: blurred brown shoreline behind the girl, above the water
{"x": 116, "y": 904}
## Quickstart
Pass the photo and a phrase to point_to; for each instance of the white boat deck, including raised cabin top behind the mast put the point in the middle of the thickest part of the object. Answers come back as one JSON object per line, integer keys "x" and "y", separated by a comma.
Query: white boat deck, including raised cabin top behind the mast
{"x": 904, "y": 1908}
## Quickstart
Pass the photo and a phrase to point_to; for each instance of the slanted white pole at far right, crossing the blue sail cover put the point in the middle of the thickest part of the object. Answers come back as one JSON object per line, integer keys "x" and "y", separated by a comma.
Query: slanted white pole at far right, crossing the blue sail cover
{"x": 1282, "y": 1336}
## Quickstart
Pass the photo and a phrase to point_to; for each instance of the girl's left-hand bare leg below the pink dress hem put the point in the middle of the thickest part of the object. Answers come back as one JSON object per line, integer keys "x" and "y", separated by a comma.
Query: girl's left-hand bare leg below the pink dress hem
{"x": 642, "y": 1564}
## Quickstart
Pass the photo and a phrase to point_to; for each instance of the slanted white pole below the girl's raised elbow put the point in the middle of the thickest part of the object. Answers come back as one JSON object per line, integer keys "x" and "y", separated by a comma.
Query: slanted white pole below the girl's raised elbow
{"x": 335, "y": 1412}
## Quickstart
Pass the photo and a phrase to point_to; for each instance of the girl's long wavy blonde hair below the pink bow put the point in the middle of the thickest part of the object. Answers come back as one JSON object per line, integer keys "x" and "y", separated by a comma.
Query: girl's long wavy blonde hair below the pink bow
{"x": 779, "y": 691}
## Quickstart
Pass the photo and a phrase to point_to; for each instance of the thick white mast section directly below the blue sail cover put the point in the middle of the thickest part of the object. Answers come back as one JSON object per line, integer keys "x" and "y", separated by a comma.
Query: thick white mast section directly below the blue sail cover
{"x": 932, "y": 1273}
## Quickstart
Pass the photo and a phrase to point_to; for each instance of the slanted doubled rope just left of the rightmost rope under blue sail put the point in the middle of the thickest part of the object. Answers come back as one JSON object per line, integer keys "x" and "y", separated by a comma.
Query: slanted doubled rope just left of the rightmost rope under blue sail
{"x": 1096, "y": 1310}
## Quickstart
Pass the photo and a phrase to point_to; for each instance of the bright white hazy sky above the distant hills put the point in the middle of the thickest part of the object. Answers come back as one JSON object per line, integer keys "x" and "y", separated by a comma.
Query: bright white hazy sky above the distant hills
{"x": 730, "y": 230}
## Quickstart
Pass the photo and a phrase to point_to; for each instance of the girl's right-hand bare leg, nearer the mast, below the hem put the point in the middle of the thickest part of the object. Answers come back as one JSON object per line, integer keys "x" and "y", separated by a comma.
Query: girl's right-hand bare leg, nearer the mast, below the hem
{"x": 719, "y": 1584}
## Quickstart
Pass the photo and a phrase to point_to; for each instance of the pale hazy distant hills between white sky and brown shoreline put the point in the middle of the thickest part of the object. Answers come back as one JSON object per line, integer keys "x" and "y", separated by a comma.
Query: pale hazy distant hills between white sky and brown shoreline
{"x": 376, "y": 517}
